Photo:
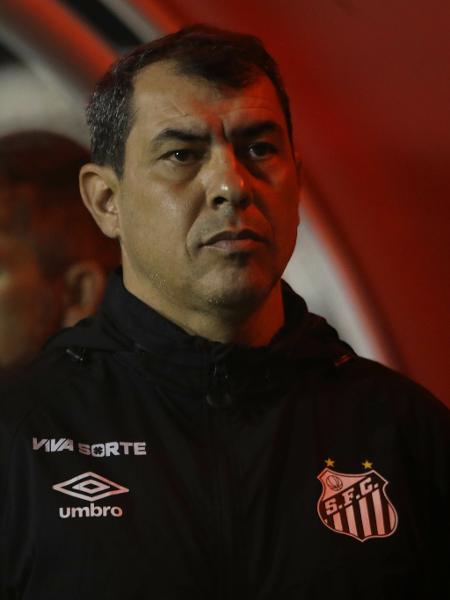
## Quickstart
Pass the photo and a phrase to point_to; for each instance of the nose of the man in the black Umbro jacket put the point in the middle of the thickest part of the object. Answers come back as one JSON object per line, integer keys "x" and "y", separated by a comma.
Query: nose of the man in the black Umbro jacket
{"x": 227, "y": 181}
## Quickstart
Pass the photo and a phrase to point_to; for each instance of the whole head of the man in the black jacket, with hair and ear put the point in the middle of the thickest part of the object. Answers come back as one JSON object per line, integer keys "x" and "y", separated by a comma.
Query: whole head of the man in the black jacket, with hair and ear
{"x": 202, "y": 153}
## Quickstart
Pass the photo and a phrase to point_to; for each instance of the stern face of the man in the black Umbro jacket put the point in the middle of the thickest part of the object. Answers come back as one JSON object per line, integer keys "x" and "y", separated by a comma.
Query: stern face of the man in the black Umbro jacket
{"x": 202, "y": 166}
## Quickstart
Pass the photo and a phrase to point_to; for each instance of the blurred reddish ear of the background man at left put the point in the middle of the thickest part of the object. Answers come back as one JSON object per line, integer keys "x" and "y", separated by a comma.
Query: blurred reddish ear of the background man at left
{"x": 84, "y": 284}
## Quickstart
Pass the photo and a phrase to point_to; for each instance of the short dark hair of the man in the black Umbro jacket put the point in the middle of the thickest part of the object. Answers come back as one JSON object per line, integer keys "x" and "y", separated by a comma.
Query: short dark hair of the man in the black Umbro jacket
{"x": 221, "y": 57}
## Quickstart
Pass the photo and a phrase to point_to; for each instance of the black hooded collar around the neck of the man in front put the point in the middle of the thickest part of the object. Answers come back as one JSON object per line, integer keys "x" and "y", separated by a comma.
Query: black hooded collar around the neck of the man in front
{"x": 222, "y": 372}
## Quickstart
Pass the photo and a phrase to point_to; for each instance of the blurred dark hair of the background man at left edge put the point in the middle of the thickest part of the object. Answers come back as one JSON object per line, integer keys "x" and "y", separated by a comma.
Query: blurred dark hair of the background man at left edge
{"x": 40, "y": 201}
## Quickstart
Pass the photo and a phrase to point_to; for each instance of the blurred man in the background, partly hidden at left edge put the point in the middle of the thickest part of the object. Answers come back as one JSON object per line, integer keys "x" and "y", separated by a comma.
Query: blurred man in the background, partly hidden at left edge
{"x": 53, "y": 259}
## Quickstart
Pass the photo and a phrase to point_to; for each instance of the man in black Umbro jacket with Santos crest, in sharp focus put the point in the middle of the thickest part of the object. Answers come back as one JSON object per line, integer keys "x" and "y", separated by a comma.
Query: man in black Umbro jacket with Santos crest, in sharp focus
{"x": 204, "y": 436}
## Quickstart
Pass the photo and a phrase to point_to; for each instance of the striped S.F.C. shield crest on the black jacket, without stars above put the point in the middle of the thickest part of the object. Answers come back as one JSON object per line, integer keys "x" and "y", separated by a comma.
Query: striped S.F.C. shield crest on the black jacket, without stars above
{"x": 356, "y": 504}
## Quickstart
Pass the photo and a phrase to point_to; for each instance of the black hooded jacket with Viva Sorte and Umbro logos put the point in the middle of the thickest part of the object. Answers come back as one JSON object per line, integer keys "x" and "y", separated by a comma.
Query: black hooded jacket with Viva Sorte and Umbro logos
{"x": 138, "y": 462}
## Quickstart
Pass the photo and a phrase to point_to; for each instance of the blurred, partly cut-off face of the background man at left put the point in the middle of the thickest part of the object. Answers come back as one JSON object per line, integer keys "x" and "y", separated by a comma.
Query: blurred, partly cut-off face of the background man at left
{"x": 27, "y": 305}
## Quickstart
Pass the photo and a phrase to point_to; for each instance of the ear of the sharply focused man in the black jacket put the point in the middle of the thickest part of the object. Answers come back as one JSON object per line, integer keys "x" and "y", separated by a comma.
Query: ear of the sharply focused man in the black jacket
{"x": 99, "y": 187}
